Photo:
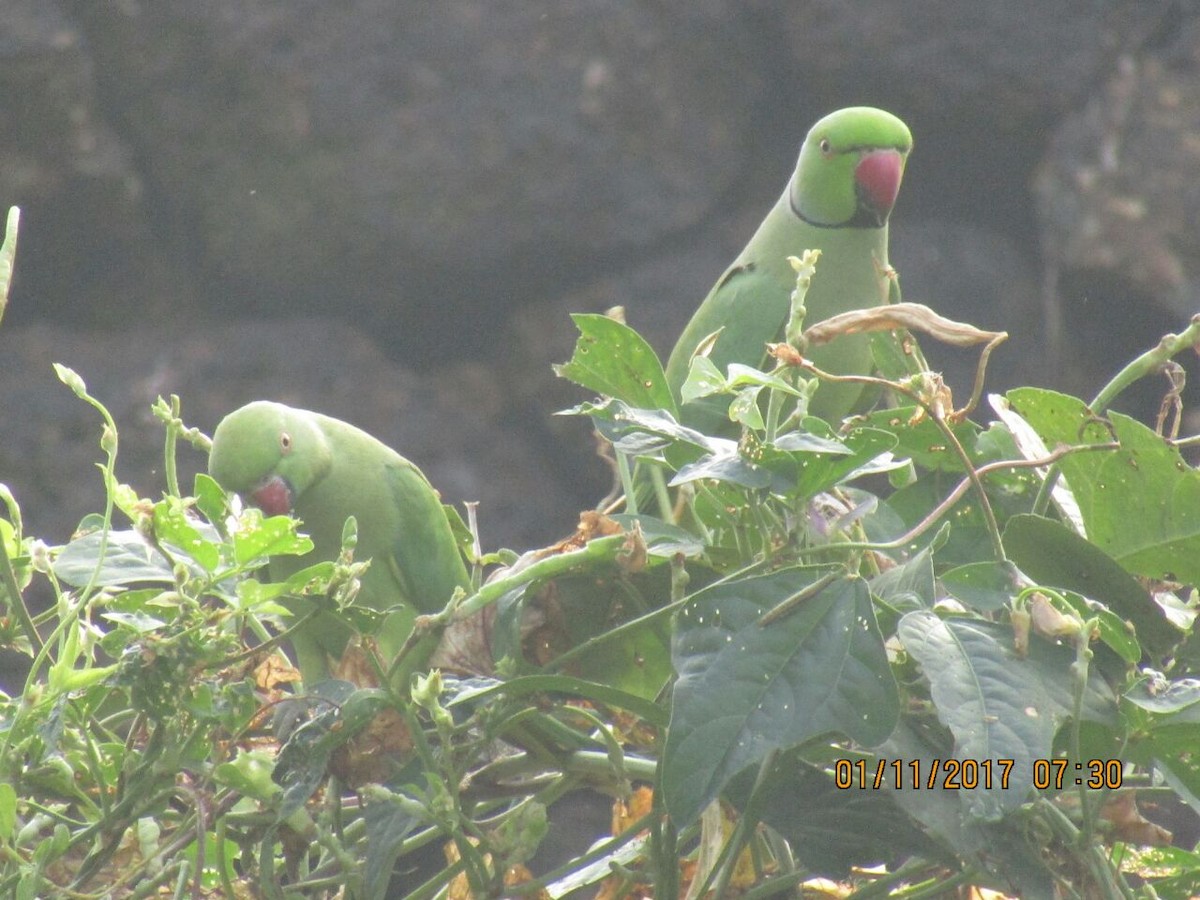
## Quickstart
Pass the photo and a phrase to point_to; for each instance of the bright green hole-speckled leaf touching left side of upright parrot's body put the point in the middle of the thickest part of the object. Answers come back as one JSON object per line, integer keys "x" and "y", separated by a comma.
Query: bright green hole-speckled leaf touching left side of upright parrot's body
{"x": 614, "y": 361}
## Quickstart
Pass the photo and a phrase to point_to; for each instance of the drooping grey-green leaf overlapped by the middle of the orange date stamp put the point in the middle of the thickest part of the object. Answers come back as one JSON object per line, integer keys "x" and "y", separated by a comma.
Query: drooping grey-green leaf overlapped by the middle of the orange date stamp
{"x": 998, "y": 705}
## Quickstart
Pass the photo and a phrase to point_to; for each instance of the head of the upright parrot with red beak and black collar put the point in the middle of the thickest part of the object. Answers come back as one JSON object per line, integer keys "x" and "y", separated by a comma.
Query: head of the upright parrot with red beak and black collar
{"x": 850, "y": 169}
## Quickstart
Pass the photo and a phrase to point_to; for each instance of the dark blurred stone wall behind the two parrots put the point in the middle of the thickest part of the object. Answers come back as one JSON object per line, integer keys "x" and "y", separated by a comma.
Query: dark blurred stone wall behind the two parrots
{"x": 386, "y": 209}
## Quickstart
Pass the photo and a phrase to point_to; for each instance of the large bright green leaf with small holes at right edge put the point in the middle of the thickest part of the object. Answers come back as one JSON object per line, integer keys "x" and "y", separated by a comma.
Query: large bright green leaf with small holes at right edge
{"x": 1141, "y": 503}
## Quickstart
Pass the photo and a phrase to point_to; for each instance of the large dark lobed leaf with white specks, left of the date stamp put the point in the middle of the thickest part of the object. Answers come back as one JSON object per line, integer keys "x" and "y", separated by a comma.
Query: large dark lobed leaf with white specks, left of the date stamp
{"x": 746, "y": 689}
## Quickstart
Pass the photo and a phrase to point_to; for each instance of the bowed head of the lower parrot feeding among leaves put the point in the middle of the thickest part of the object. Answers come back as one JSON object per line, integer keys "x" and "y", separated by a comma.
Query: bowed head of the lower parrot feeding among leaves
{"x": 271, "y": 454}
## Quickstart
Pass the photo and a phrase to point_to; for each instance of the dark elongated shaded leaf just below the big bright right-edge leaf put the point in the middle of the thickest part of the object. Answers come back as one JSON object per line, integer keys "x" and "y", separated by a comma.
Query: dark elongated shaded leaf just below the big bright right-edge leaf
{"x": 1053, "y": 555}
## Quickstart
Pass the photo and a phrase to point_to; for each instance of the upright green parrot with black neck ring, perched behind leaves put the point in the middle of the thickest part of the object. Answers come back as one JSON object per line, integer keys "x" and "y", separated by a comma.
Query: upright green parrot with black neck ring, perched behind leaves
{"x": 838, "y": 202}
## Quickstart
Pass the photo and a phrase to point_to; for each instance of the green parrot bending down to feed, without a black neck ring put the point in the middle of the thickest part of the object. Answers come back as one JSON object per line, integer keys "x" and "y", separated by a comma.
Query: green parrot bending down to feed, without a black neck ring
{"x": 323, "y": 471}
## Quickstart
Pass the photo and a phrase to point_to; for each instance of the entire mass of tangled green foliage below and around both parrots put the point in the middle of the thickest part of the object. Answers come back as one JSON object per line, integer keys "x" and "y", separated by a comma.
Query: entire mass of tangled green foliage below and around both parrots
{"x": 801, "y": 641}
